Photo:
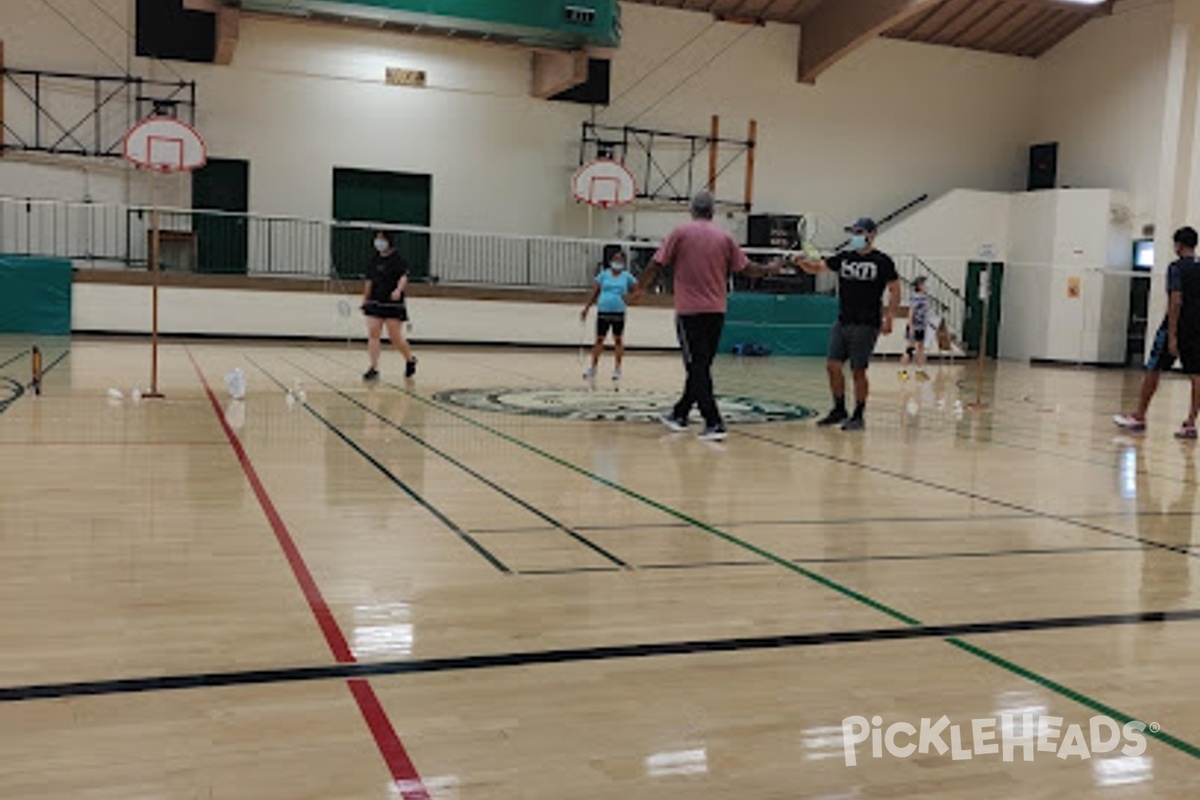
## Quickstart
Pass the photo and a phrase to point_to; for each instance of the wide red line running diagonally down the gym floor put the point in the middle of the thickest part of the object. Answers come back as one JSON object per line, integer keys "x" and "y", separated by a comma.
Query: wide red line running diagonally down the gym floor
{"x": 393, "y": 750}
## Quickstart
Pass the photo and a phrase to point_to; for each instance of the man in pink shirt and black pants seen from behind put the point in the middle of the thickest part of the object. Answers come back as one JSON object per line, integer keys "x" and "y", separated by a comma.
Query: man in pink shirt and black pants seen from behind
{"x": 704, "y": 256}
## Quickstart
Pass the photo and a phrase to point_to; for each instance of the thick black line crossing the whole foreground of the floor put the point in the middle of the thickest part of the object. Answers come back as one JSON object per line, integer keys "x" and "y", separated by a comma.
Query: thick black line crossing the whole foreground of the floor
{"x": 578, "y": 655}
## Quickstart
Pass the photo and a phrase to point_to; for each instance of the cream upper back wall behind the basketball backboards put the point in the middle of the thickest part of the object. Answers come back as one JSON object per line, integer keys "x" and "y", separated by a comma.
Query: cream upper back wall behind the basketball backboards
{"x": 890, "y": 123}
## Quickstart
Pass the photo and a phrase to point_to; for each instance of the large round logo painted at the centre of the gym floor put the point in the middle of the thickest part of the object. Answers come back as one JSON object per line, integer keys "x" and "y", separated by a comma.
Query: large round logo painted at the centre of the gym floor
{"x": 619, "y": 407}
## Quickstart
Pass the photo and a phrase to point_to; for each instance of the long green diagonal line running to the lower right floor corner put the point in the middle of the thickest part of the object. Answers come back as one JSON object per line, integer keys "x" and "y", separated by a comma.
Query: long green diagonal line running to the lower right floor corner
{"x": 1004, "y": 664}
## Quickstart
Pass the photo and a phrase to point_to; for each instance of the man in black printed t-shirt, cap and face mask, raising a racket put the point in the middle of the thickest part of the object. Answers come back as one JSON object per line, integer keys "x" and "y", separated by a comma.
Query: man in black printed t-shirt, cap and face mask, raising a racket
{"x": 863, "y": 274}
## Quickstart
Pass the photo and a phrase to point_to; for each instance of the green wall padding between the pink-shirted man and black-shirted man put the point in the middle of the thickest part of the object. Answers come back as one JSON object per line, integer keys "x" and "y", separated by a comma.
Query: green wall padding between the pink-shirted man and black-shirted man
{"x": 785, "y": 324}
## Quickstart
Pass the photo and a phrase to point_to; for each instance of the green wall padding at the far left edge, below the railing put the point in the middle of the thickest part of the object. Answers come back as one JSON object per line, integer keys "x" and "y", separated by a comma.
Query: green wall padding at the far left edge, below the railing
{"x": 35, "y": 296}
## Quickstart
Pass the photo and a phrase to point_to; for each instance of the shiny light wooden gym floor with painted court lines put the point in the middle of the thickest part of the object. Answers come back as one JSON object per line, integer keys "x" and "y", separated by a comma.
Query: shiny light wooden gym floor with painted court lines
{"x": 379, "y": 594}
